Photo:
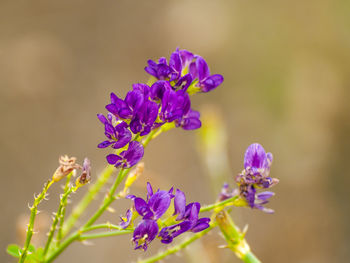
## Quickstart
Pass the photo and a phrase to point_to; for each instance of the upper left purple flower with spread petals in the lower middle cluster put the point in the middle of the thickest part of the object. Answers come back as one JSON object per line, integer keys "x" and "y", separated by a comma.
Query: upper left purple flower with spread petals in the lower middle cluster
{"x": 155, "y": 206}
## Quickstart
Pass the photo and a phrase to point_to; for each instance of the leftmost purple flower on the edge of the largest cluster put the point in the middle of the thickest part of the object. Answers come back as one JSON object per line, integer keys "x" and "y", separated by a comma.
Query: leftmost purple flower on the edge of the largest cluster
{"x": 118, "y": 136}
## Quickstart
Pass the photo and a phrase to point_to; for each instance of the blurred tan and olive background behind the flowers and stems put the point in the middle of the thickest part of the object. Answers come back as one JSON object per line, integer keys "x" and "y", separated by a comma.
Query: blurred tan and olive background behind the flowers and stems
{"x": 287, "y": 85}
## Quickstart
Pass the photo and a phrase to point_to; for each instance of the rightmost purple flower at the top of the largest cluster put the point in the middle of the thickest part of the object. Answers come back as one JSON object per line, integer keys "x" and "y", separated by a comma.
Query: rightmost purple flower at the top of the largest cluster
{"x": 200, "y": 70}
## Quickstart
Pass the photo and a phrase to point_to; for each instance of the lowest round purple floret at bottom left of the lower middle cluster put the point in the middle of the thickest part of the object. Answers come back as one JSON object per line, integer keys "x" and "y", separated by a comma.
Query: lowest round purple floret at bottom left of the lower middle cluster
{"x": 144, "y": 233}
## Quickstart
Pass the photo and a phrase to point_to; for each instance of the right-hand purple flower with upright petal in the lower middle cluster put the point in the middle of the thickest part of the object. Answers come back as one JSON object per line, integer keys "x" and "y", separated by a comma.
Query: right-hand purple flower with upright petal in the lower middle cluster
{"x": 188, "y": 217}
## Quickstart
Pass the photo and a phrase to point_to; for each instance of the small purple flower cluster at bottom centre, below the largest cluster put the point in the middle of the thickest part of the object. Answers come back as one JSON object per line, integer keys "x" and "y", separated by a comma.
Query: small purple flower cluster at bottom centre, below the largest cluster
{"x": 154, "y": 207}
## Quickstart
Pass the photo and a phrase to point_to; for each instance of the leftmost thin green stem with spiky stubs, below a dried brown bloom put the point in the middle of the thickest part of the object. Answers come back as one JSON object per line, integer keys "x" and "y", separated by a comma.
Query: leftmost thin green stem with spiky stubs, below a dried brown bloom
{"x": 34, "y": 211}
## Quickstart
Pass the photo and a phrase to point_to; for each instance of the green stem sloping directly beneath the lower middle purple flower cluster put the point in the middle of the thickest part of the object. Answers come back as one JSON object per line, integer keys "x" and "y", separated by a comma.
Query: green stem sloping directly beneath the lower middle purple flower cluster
{"x": 178, "y": 247}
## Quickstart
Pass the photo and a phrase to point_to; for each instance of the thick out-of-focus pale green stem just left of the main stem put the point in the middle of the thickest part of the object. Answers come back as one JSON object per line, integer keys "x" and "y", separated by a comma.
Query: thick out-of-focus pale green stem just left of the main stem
{"x": 87, "y": 199}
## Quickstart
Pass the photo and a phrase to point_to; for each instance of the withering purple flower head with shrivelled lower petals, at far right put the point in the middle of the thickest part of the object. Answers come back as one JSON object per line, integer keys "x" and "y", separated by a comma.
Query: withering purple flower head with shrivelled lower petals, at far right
{"x": 256, "y": 175}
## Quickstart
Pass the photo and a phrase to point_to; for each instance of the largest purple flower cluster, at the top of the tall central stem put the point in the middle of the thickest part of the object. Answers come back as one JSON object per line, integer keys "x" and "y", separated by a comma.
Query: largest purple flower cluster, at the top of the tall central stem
{"x": 146, "y": 108}
